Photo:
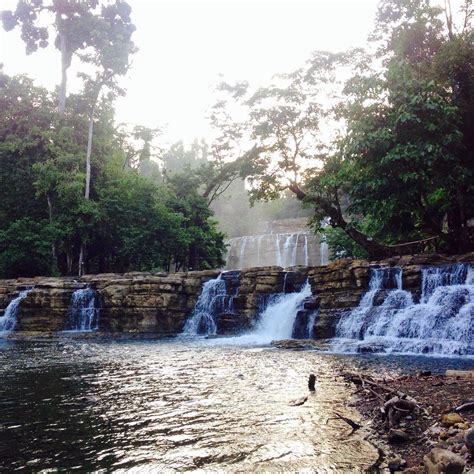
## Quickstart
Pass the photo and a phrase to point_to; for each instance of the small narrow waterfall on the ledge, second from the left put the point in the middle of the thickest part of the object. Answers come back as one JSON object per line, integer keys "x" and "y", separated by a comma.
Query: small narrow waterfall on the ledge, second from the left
{"x": 83, "y": 311}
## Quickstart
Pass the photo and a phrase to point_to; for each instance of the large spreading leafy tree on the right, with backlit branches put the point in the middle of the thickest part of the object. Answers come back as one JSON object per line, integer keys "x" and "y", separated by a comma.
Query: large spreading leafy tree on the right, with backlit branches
{"x": 401, "y": 167}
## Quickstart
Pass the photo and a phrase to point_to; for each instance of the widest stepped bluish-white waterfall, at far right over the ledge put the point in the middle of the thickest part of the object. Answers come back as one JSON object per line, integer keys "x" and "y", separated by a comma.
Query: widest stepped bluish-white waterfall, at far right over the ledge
{"x": 441, "y": 323}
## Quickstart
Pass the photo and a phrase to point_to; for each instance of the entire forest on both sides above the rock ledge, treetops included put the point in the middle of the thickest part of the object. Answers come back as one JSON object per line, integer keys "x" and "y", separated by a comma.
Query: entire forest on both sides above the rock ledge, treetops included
{"x": 378, "y": 144}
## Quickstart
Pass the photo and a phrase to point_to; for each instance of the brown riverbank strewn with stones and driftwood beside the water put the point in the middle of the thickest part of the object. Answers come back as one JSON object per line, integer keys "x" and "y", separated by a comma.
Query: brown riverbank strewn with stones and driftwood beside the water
{"x": 430, "y": 424}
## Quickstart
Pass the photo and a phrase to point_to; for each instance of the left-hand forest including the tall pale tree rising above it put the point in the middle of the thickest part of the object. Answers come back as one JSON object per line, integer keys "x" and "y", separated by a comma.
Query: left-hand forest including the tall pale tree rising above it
{"x": 79, "y": 193}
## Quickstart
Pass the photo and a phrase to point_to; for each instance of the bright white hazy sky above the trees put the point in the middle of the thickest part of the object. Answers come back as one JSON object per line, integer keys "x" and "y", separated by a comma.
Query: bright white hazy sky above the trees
{"x": 185, "y": 45}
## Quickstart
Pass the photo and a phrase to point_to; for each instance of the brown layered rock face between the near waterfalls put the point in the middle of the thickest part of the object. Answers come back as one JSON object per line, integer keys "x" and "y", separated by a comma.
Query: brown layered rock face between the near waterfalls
{"x": 160, "y": 303}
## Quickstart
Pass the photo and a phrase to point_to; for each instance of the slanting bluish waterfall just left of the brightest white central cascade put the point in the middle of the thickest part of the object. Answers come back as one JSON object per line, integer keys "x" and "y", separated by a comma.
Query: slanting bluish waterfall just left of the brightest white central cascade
{"x": 212, "y": 301}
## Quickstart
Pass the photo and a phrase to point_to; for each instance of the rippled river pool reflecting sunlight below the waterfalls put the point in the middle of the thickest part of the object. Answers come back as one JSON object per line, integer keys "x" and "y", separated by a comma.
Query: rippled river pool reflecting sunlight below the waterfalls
{"x": 174, "y": 406}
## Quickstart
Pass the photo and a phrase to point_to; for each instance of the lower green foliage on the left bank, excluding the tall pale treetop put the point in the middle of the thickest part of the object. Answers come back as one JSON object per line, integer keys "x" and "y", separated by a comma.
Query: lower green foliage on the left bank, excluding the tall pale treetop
{"x": 132, "y": 222}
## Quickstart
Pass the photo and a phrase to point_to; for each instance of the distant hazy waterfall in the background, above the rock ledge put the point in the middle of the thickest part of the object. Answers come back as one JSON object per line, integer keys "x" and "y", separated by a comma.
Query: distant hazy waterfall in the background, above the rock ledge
{"x": 284, "y": 250}
